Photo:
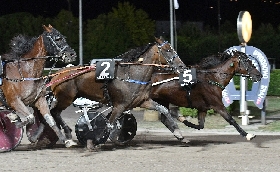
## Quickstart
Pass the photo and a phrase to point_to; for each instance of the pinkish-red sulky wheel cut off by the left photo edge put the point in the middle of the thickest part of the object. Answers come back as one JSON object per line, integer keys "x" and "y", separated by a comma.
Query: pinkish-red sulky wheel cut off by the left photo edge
{"x": 10, "y": 135}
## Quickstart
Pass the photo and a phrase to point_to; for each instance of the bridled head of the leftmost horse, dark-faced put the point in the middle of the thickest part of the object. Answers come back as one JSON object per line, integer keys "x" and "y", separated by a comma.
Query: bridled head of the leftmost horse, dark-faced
{"x": 56, "y": 44}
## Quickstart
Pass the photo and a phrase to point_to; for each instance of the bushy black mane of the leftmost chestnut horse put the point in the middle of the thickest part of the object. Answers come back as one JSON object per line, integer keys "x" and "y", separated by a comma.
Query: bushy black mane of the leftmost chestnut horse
{"x": 19, "y": 45}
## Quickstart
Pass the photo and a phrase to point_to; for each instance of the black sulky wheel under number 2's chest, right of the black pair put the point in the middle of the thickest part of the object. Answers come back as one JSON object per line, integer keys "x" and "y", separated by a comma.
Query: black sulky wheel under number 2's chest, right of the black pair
{"x": 124, "y": 130}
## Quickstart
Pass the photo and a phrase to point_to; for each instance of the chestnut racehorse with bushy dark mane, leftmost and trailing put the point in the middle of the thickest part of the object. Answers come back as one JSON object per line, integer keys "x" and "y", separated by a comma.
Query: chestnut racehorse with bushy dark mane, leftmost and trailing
{"x": 23, "y": 83}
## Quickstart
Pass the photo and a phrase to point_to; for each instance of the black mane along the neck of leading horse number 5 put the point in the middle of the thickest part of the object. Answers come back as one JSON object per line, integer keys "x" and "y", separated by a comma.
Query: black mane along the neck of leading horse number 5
{"x": 214, "y": 60}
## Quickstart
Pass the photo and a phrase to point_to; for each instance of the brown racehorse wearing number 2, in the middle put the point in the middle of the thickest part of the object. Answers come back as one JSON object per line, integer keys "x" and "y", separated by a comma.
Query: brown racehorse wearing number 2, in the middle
{"x": 130, "y": 88}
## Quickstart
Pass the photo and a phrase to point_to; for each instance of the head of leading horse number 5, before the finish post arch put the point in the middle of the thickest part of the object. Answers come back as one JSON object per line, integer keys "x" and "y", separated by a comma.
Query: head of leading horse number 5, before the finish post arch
{"x": 245, "y": 67}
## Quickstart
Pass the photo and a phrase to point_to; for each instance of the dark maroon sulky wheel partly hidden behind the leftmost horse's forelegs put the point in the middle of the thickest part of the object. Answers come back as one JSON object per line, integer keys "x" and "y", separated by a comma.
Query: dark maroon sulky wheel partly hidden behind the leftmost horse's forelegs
{"x": 47, "y": 138}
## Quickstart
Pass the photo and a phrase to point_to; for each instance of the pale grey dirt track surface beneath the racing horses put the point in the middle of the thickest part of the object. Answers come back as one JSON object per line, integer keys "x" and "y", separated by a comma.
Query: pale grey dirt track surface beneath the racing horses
{"x": 153, "y": 150}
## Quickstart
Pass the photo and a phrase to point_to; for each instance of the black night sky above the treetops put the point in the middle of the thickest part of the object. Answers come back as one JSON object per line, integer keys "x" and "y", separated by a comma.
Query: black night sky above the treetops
{"x": 189, "y": 10}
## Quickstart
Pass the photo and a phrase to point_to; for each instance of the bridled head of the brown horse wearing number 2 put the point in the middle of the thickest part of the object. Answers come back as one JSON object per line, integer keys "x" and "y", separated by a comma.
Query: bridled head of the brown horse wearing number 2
{"x": 167, "y": 54}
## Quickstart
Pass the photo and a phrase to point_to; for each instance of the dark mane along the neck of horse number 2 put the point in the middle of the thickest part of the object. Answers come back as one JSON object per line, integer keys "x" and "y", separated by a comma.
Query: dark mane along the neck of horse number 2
{"x": 135, "y": 53}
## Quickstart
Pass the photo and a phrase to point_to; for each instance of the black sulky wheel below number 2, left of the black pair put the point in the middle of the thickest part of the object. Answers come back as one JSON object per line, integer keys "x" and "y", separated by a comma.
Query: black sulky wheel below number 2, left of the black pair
{"x": 99, "y": 131}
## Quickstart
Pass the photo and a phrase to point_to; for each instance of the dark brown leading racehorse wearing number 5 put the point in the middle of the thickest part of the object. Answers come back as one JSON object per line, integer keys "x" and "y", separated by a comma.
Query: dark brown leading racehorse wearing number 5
{"x": 213, "y": 75}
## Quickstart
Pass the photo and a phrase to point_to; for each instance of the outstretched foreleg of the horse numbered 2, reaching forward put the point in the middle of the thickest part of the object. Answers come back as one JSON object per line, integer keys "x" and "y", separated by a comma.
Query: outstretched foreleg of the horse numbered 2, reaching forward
{"x": 166, "y": 118}
